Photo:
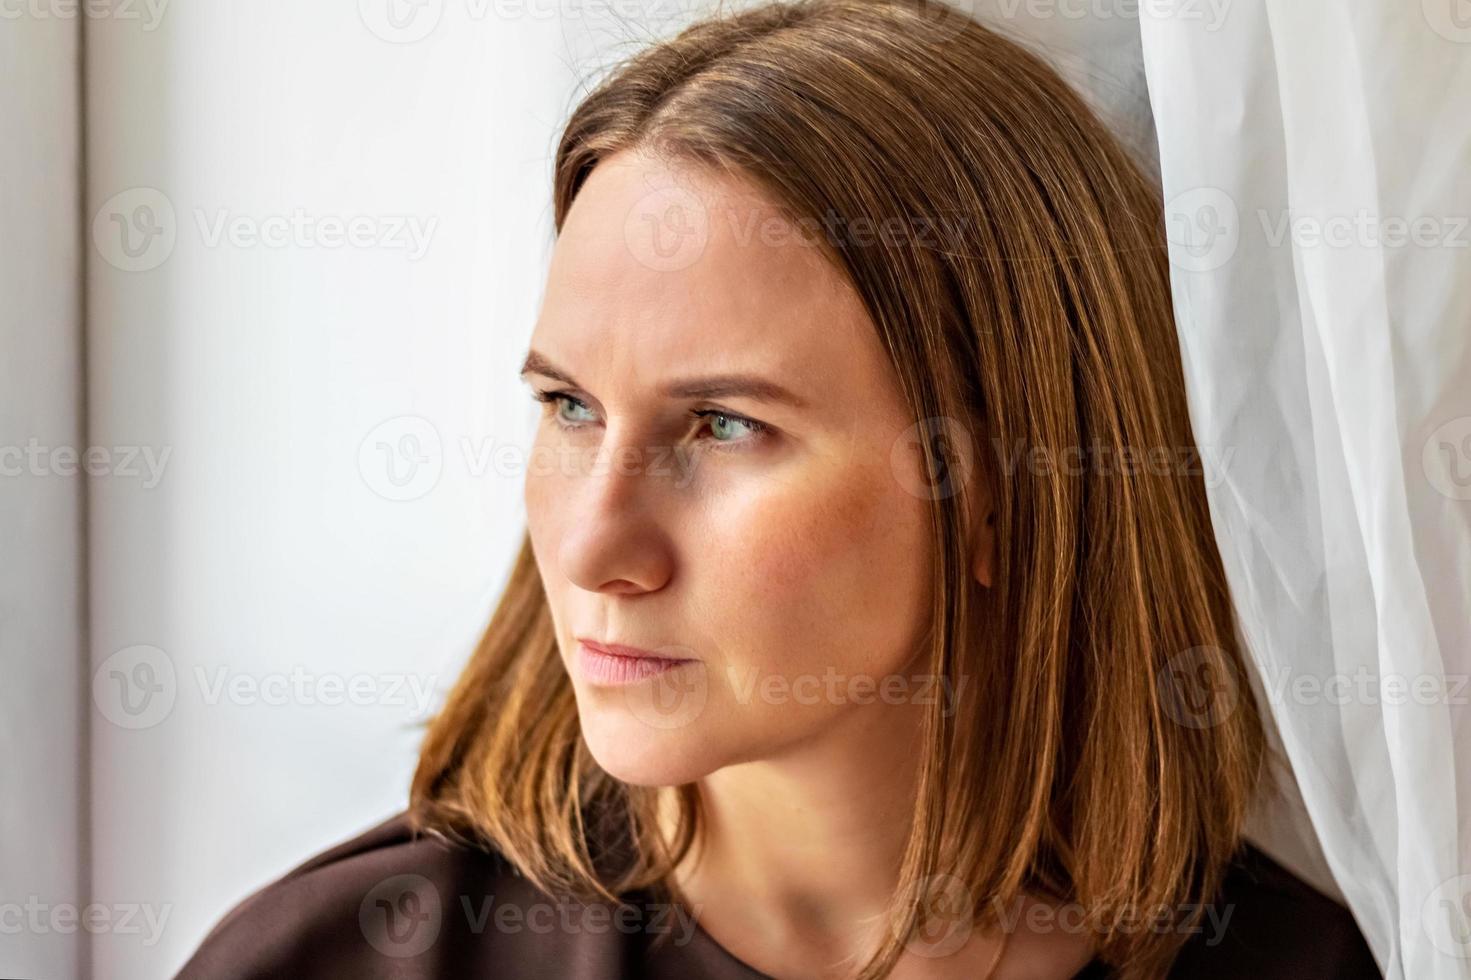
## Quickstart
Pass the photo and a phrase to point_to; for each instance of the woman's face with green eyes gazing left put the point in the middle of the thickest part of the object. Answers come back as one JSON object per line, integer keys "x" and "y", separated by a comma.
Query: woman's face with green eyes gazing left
{"x": 786, "y": 561}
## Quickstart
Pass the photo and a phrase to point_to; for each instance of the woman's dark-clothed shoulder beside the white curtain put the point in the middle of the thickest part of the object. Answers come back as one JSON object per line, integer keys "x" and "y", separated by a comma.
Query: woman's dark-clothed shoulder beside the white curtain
{"x": 1269, "y": 925}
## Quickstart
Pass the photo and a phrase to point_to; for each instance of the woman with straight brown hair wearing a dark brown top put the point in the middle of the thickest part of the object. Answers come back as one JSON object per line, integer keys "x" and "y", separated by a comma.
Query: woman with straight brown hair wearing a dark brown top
{"x": 870, "y": 620}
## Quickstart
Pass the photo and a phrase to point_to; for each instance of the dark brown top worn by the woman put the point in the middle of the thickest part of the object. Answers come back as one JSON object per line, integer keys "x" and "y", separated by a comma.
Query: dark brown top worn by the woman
{"x": 392, "y": 904}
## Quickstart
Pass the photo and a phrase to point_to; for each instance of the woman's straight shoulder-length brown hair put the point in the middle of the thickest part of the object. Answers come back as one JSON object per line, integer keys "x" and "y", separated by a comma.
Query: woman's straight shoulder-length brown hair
{"x": 1022, "y": 292}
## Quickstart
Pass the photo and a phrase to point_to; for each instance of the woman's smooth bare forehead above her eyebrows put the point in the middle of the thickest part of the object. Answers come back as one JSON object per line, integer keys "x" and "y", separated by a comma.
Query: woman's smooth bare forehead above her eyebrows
{"x": 749, "y": 302}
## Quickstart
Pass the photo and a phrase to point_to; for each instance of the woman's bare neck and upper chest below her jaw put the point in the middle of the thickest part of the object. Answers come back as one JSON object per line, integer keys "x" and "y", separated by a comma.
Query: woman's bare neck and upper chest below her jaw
{"x": 799, "y": 856}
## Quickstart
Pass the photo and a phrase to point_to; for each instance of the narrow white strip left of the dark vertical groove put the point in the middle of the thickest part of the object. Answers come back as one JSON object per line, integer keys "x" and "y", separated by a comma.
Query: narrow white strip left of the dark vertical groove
{"x": 42, "y": 561}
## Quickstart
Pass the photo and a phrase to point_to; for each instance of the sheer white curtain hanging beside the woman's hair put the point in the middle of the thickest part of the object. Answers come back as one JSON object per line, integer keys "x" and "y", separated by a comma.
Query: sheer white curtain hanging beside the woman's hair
{"x": 1316, "y": 161}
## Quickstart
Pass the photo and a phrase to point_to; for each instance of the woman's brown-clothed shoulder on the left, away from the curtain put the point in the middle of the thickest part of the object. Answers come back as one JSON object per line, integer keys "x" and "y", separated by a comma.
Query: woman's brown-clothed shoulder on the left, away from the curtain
{"x": 391, "y": 901}
